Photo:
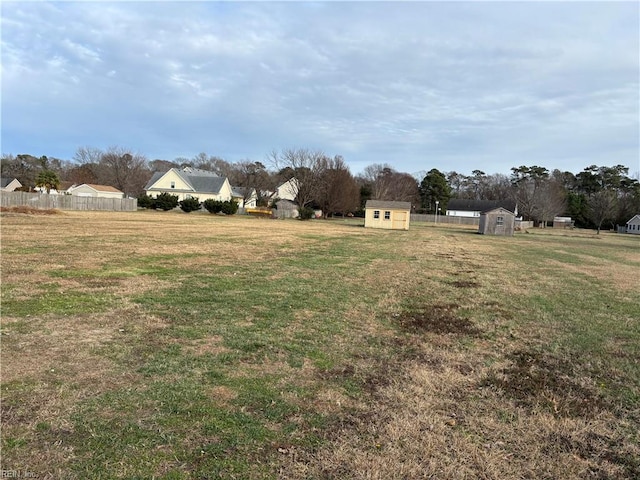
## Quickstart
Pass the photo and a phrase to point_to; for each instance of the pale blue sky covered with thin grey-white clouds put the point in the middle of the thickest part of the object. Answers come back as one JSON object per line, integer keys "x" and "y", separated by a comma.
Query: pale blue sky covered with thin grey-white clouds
{"x": 419, "y": 85}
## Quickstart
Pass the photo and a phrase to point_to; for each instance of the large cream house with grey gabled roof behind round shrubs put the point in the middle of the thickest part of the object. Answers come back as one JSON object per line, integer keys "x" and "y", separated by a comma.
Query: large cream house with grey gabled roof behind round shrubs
{"x": 190, "y": 182}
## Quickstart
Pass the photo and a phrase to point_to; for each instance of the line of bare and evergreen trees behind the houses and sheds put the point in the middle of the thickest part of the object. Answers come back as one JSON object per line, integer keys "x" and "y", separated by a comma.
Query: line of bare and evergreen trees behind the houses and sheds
{"x": 596, "y": 197}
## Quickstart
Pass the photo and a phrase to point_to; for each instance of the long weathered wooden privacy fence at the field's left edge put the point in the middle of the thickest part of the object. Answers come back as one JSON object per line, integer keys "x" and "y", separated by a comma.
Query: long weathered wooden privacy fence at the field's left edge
{"x": 67, "y": 202}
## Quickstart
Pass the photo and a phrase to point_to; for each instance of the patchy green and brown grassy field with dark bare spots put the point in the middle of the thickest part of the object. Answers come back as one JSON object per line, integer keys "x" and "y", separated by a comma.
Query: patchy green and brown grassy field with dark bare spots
{"x": 175, "y": 346}
